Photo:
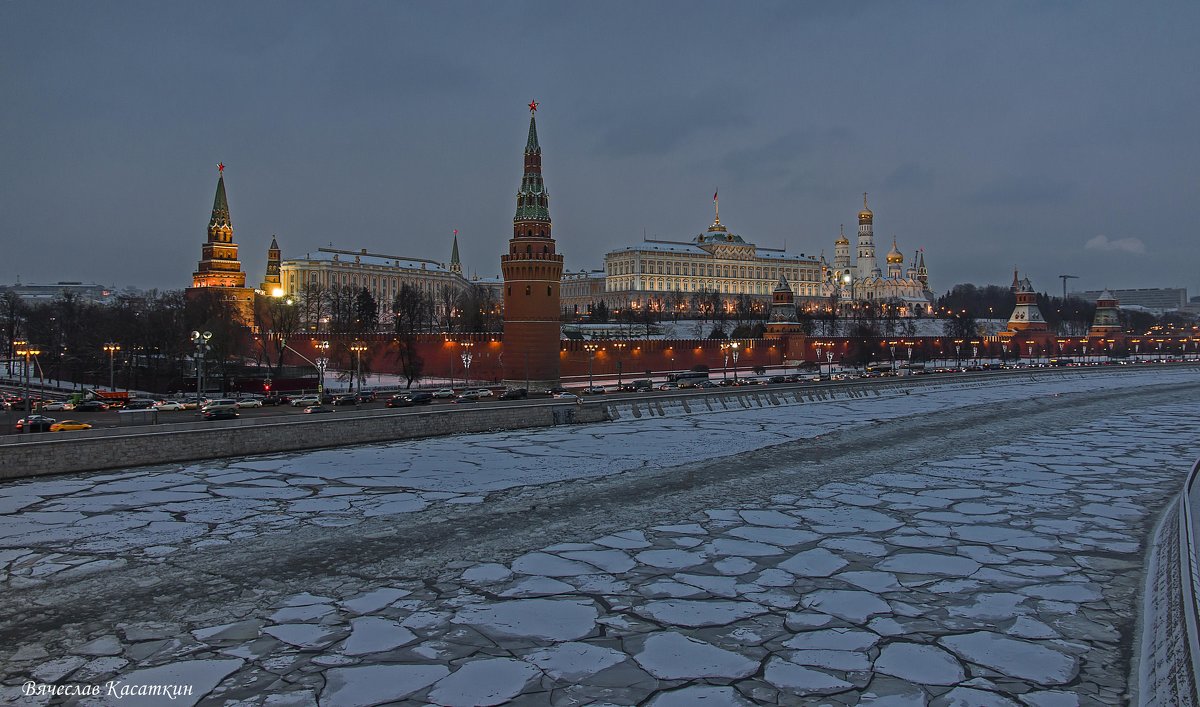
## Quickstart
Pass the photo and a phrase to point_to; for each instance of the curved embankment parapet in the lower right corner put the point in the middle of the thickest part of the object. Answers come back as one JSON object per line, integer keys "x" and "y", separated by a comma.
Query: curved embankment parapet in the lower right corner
{"x": 1169, "y": 662}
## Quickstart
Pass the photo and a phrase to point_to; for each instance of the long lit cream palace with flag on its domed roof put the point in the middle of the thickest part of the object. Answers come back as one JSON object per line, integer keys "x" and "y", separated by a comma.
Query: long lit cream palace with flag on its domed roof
{"x": 655, "y": 272}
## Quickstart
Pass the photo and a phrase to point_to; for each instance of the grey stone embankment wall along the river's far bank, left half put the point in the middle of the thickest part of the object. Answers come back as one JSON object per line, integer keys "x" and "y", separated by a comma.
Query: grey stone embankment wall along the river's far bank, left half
{"x": 140, "y": 447}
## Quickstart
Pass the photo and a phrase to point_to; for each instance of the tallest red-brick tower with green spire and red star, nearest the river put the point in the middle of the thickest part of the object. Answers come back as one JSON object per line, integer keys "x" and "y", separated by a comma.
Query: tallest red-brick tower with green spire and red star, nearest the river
{"x": 532, "y": 277}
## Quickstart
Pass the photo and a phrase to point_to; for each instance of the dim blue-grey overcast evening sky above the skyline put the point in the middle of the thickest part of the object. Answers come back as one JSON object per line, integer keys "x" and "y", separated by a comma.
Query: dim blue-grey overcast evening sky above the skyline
{"x": 1057, "y": 137}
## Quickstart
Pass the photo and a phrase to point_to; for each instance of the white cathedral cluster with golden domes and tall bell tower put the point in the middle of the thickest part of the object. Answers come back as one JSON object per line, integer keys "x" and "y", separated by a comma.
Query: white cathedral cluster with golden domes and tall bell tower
{"x": 862, "y": 279}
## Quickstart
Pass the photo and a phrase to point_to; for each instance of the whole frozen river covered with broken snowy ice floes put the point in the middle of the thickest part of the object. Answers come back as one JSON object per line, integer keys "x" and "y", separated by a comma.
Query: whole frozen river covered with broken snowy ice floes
{"x": 947, "y": 547}
